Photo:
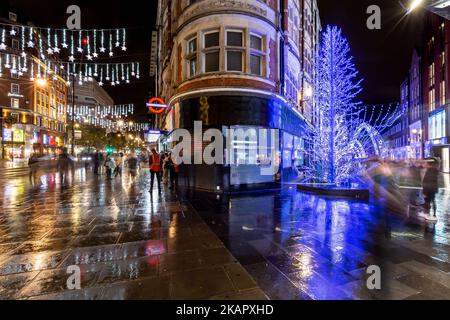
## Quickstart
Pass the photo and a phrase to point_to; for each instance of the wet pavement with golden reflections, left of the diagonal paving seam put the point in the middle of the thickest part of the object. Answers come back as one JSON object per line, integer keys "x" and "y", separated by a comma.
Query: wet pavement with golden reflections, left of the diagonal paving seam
{"x": 128, "y": 243}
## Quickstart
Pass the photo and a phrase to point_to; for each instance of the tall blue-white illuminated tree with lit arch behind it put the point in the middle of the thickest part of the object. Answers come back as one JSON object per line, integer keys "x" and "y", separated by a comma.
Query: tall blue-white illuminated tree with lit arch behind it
{"x": 344, "y": 132}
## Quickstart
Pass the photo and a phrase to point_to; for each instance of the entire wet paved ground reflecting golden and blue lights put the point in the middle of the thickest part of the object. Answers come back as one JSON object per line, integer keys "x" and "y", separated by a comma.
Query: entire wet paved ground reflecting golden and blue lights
{"x": 133, "y": 244}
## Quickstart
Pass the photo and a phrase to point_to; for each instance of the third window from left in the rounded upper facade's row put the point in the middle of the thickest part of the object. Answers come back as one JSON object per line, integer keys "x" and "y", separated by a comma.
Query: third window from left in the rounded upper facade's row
{"x": 235, "y": 50}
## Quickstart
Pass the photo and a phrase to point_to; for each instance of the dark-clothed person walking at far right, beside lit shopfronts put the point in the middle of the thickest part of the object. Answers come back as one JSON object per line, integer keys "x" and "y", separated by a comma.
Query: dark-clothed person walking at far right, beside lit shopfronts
{"x": 430, "y": 189}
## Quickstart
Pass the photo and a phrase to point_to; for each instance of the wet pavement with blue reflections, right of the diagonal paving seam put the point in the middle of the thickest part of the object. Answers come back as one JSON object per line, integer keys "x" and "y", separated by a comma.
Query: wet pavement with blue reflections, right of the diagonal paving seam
{"x": 299, "y": 246}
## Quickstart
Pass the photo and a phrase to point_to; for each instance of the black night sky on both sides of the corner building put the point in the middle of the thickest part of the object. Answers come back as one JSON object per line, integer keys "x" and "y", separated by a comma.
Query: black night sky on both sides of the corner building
{"x": 382, "y": 56}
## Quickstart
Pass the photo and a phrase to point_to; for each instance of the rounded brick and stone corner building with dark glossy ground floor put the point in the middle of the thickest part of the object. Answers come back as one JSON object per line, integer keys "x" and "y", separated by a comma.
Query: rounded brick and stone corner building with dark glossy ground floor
{"x": 239, "y": 64}
